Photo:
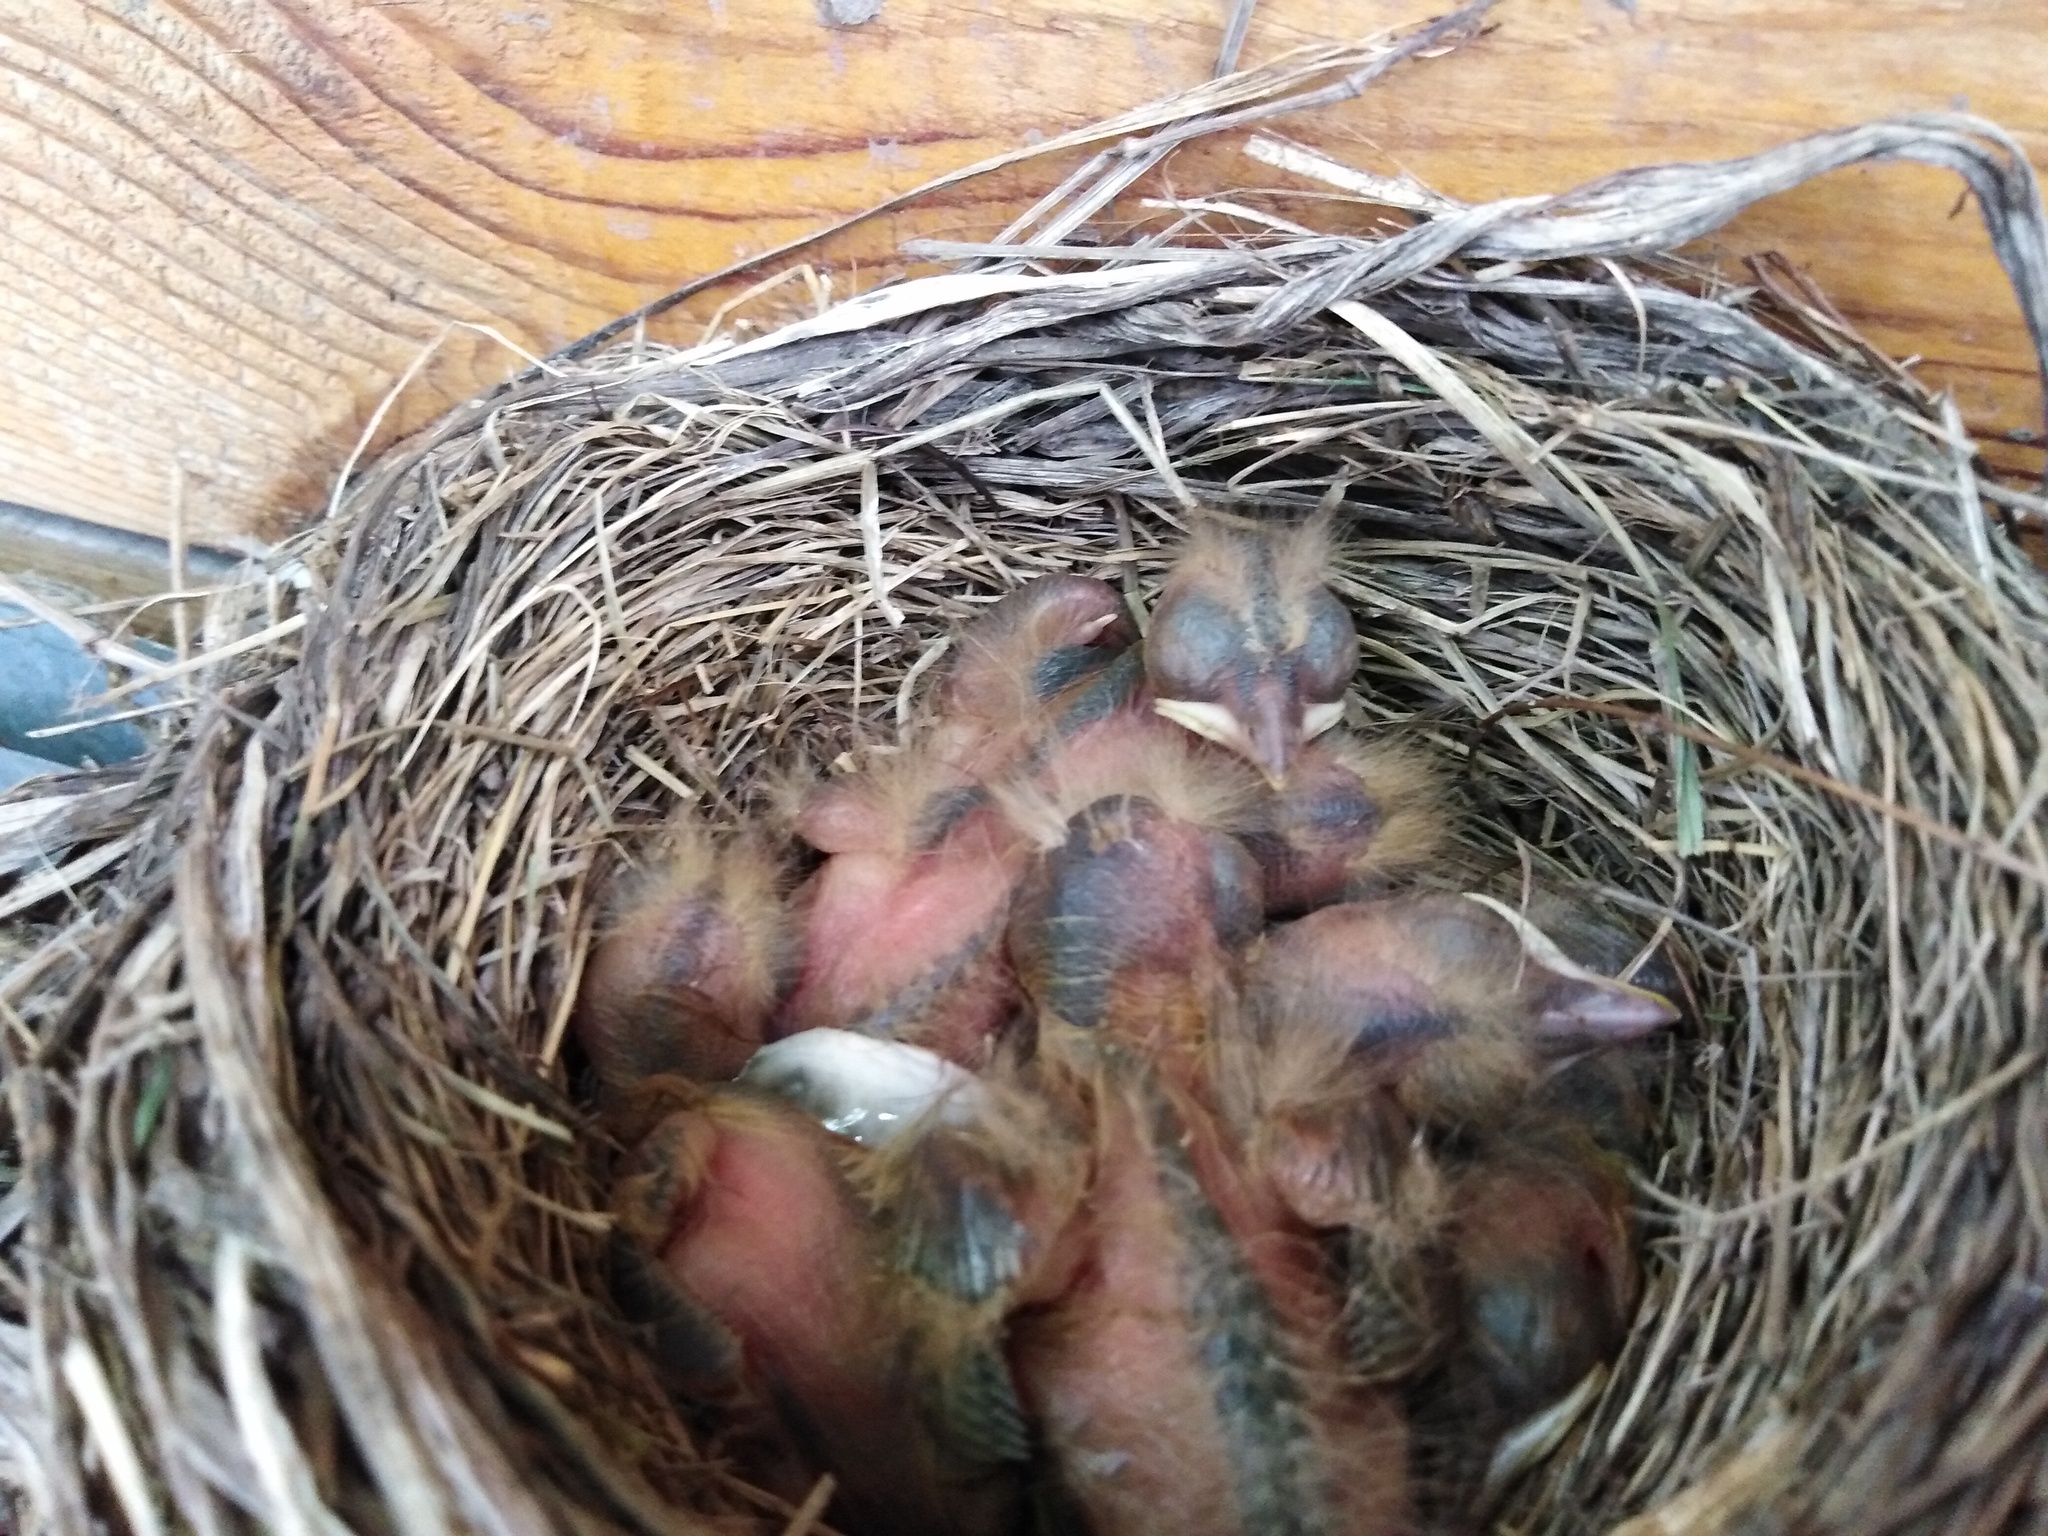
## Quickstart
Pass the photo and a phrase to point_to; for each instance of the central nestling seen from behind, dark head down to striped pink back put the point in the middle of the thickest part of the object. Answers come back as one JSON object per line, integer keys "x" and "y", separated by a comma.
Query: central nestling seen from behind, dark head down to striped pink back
{"x": 1189, "y": 1373}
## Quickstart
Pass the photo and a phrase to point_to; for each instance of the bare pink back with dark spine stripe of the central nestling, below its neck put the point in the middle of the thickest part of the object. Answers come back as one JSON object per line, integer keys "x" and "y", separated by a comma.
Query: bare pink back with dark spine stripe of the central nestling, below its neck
{"x": 1146, "y": 1431}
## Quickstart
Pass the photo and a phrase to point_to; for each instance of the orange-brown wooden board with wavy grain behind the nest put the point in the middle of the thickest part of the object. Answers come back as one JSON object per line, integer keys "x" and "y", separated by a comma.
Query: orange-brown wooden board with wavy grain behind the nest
{"x": 228, "y": 226}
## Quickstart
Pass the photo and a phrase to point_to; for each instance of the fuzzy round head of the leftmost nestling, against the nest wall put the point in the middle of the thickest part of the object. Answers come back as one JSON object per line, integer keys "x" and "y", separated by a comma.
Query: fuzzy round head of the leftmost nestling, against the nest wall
{"x": 687, "y": 974}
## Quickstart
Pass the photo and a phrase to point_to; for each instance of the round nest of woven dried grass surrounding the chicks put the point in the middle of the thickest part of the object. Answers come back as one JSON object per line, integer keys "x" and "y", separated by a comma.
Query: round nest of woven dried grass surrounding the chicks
{"x": 1697, "y": 597}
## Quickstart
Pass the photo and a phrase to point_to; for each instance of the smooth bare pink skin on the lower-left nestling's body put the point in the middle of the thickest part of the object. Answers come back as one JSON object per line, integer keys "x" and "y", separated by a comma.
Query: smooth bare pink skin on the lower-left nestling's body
{"x": 763, "y": 1234}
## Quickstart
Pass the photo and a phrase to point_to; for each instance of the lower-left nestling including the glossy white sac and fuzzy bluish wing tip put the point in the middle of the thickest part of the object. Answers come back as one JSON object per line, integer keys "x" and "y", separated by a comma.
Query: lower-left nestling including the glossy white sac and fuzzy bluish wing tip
{"x": 822, "y": 1258}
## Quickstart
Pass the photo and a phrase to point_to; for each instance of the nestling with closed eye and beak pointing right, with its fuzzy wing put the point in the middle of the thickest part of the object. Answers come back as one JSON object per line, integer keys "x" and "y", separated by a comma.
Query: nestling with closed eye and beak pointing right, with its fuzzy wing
{"x": 1373, "y": 1021}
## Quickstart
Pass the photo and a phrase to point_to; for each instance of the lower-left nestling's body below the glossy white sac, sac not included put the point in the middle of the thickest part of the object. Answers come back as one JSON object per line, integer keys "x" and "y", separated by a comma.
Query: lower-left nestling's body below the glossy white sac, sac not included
{"x": 773, "y": 1299}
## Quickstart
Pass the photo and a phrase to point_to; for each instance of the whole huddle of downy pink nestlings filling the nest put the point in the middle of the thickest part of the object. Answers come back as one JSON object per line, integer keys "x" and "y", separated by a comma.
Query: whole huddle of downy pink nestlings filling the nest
{"x": 1127, "y": 1123}
